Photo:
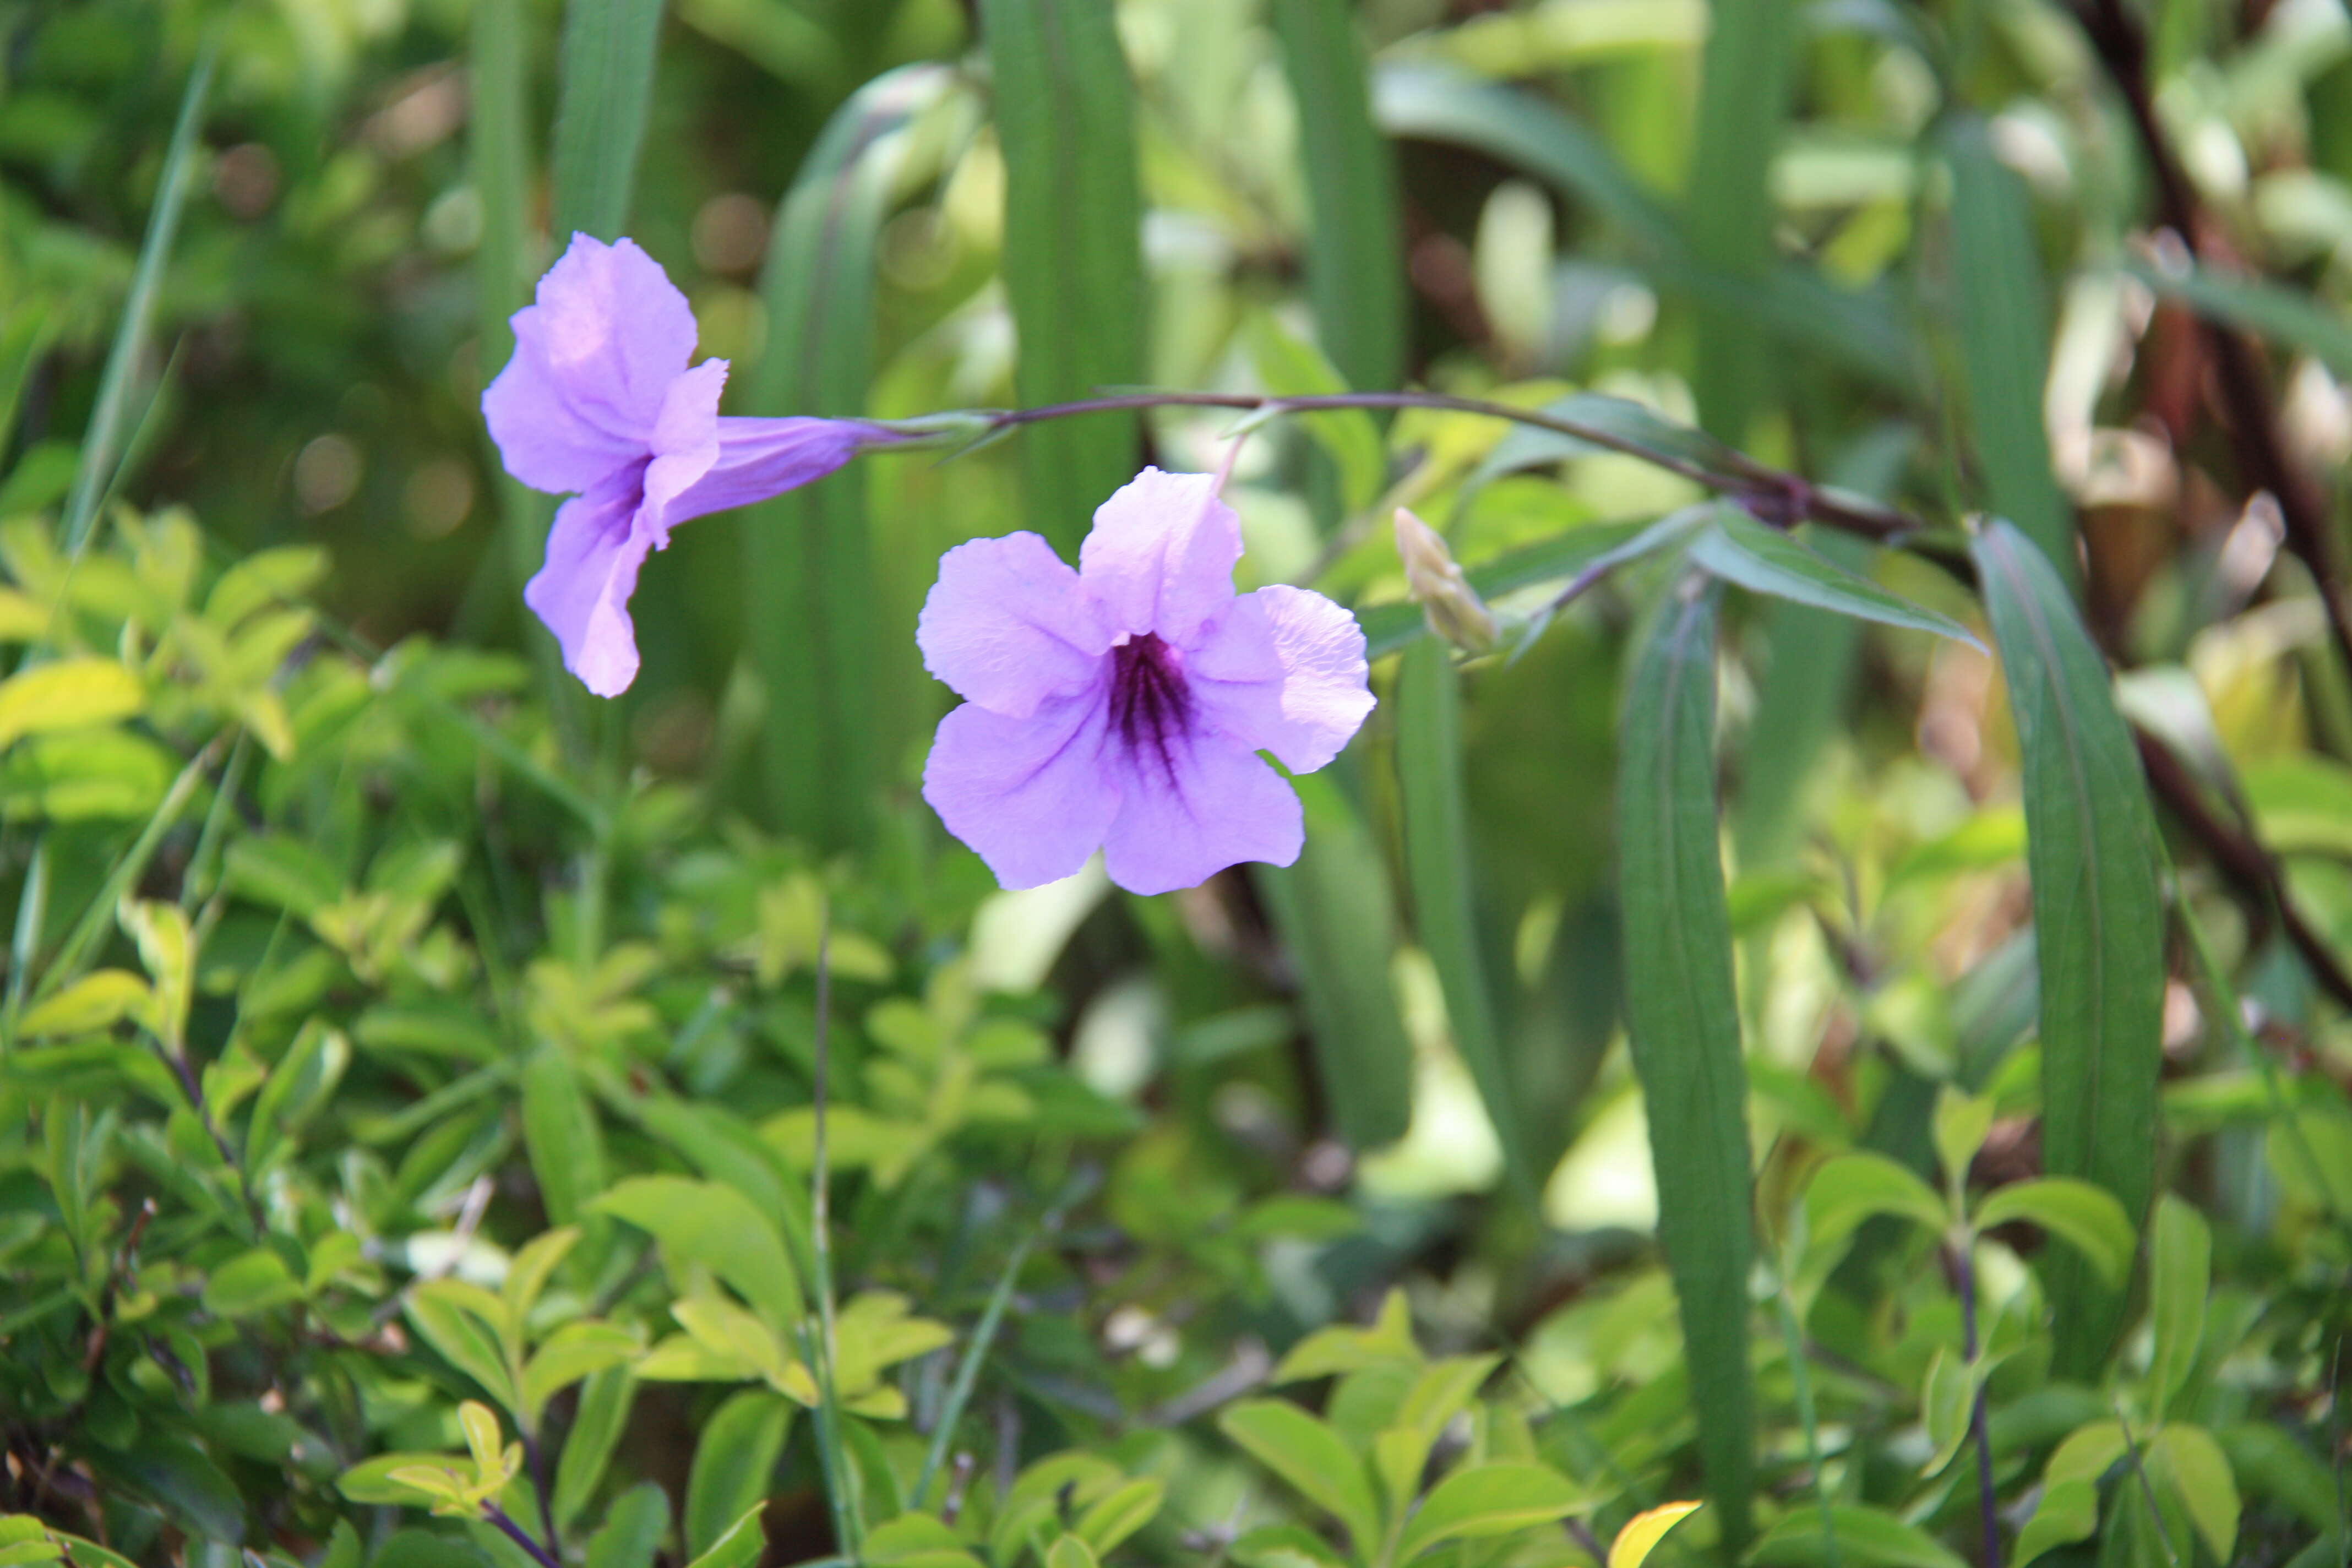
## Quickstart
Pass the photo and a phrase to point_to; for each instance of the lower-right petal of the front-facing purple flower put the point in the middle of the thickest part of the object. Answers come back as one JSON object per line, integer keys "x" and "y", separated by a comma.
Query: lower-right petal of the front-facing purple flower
{"x": 1194, "y": 812}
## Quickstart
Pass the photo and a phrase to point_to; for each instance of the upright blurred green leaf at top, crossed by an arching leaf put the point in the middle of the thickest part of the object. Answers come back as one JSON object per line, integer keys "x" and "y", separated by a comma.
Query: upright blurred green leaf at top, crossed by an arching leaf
{"x": 1742, "y": 109}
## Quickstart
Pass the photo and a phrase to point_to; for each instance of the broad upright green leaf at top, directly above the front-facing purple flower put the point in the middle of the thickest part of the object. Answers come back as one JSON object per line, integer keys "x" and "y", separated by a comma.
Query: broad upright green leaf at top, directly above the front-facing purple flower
{"x": 1074, "y": 246}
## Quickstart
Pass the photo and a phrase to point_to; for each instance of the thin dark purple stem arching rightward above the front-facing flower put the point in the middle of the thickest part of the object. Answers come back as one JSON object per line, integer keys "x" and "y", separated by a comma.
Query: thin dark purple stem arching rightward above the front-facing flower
{"x": 1775, "y": 495}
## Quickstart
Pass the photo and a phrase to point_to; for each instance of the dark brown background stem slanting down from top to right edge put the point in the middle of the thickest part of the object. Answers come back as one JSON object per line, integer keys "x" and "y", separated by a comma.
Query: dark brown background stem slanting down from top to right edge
{"x": 2238, "y": 370}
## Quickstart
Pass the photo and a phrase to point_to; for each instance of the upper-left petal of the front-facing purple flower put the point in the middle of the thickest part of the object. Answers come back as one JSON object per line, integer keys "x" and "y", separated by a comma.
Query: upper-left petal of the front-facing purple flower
{"x": 1010, "y": 626}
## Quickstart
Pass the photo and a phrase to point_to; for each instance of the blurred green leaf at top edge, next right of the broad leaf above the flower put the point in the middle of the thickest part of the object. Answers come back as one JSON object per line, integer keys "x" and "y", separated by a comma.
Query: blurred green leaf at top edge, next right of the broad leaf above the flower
{"x": 1356, "y": 276}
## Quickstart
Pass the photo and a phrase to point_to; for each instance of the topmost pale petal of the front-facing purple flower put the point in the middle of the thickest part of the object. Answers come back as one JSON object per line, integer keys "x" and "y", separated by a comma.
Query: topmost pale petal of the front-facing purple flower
{"x": 1161, "y": 556}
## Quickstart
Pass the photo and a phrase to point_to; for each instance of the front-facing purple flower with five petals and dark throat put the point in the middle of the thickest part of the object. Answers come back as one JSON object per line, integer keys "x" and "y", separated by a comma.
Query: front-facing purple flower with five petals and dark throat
{"x": 1123, "y": 706}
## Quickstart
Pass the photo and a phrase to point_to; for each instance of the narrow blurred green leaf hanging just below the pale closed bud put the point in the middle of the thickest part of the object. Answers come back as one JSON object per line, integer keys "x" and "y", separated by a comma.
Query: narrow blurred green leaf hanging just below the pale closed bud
{"x": 1438, "y": 873}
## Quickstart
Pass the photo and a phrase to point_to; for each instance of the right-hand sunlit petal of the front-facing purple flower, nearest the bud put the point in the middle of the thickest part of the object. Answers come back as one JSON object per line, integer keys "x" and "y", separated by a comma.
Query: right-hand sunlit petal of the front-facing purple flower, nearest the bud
{"x": 1283, "y": 671}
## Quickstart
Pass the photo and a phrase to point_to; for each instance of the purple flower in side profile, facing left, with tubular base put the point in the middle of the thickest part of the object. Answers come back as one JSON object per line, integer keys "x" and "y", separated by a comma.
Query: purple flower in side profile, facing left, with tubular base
{"x": 599, "y": 403}
